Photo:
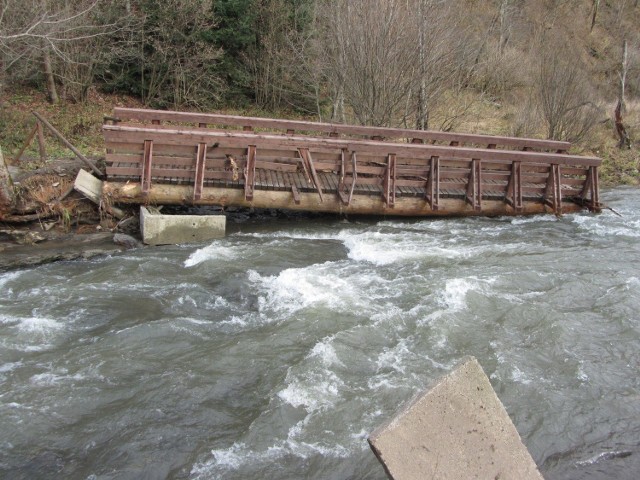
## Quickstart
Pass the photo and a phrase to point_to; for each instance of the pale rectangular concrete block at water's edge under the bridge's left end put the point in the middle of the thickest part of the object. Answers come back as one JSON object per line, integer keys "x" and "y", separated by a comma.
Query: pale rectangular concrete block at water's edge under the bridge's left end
{"x": 158, "y": 229}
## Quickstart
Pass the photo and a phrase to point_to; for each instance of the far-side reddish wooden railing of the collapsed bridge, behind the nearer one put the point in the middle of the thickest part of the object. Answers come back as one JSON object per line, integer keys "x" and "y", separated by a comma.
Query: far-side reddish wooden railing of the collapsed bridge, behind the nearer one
{"x": 173, "y": 119}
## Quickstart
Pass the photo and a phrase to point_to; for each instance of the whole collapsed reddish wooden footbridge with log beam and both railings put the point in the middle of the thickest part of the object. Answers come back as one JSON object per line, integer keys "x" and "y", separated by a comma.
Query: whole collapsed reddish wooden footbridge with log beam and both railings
{"x": 163, "y": 157}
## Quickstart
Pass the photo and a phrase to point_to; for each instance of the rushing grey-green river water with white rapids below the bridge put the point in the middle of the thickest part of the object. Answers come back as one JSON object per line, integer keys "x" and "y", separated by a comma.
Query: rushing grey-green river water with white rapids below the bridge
{"x": 273, "y": 352}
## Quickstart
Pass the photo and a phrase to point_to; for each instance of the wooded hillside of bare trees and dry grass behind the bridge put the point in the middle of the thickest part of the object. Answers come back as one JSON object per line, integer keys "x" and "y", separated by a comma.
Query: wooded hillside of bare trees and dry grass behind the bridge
{"x": 561, "y": 69}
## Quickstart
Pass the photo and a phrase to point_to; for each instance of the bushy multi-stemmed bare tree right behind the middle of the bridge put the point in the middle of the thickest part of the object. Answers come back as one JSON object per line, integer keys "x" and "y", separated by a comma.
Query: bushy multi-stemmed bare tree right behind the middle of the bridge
{"x": 371, "y": 56}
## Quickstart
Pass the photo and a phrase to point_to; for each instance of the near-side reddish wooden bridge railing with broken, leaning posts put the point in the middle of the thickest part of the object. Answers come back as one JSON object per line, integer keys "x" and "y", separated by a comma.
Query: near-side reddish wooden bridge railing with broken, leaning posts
{"x": 345, "y": 166}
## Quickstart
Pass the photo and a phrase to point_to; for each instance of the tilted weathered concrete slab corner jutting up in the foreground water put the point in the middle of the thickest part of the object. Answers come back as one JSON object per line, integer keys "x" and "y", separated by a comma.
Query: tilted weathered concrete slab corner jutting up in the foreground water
{"x": 458, "y": 429}
